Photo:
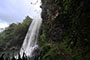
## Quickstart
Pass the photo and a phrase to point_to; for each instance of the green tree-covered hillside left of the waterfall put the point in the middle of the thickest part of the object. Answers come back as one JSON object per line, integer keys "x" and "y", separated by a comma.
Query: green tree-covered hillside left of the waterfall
{"x": 13, "y": 36}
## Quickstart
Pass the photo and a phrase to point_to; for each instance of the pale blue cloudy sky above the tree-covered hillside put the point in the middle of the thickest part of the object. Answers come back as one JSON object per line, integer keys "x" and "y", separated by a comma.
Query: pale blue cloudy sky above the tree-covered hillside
{"x": 13, "y": 11}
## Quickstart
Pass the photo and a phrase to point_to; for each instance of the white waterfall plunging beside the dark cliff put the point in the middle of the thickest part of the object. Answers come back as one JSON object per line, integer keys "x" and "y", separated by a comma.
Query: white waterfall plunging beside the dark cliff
{"x": 30, "y": 41}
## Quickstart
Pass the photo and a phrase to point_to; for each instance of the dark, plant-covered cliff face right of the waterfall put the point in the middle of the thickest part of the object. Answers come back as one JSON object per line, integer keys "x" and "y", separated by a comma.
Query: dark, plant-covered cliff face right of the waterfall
{"x": 65, "y": 30}
